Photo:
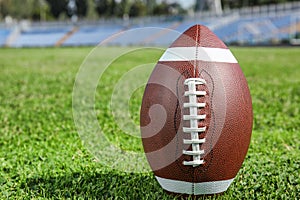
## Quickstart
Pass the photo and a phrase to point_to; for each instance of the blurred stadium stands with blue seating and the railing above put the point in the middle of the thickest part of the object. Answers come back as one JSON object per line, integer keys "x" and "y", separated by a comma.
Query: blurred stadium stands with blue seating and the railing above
{"x": 261, "y": 25}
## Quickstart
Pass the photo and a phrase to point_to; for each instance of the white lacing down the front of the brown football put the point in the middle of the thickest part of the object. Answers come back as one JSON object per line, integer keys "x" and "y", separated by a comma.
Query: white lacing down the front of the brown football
{"x": 193, "y": 117}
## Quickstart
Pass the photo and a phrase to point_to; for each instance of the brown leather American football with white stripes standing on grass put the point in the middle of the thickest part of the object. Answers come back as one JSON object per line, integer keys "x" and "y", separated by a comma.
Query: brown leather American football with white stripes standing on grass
{"x": 196, "y": 115}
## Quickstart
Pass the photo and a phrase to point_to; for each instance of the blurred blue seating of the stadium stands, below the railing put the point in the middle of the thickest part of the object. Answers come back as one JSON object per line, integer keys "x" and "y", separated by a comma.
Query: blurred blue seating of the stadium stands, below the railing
{"x": 231, "y": 29}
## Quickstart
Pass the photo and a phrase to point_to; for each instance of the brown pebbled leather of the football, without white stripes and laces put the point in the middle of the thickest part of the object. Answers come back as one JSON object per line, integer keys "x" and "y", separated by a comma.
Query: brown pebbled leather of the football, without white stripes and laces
{"x": 228, "y": 114}
